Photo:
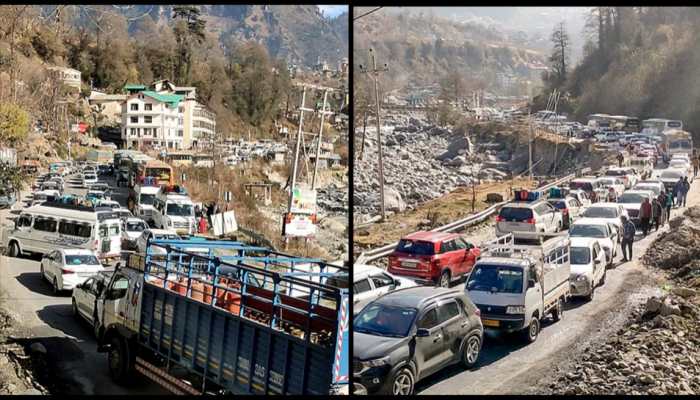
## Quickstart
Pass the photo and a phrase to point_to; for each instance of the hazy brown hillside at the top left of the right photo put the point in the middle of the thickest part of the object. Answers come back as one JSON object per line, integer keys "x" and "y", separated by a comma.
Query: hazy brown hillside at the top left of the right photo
{"x": 421, "y": 49}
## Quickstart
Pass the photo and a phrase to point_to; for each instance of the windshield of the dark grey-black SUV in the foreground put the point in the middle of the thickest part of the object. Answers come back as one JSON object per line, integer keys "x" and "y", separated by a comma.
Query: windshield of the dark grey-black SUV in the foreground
{"x": 383, "y": 320}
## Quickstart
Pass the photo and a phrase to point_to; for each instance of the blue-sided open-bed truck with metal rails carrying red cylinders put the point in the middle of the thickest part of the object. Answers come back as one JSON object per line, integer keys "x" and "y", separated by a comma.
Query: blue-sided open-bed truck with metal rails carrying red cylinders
{"x": 237, "y": 319}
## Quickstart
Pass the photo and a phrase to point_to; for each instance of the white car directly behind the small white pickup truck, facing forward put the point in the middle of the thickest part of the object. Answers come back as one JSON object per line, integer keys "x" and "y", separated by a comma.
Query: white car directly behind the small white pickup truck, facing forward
{"x": 587, "y": 266}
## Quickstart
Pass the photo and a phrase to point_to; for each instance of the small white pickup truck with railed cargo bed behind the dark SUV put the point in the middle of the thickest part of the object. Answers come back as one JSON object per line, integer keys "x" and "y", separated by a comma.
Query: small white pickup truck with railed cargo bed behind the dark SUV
{"x": 516, "y": 286}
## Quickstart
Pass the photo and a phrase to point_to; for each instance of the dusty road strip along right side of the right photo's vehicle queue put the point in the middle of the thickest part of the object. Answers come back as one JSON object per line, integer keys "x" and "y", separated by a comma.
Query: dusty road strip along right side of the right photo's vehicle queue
{"x": 508, "y": 367}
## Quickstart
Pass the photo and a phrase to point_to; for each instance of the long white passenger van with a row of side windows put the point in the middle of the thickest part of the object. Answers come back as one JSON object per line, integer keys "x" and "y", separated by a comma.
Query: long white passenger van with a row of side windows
{"x": 51, "y": 226}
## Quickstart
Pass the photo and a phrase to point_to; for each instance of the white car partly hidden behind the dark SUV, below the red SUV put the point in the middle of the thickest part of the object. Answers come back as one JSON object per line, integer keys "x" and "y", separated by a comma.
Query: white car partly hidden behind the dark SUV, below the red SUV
{"x": 370, "y": 282}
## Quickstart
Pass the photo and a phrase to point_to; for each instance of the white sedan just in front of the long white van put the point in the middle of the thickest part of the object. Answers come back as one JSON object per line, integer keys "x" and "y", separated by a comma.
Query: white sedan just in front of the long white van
{"x": 64, "y": 269}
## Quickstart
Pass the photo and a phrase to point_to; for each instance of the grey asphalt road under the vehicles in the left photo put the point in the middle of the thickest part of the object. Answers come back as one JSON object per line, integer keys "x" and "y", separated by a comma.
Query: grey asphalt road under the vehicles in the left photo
{"x": 70, "y": 343}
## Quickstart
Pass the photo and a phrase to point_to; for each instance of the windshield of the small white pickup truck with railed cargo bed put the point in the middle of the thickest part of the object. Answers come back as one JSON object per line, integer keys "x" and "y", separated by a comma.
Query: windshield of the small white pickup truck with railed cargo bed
{"x": 496, "y": 278}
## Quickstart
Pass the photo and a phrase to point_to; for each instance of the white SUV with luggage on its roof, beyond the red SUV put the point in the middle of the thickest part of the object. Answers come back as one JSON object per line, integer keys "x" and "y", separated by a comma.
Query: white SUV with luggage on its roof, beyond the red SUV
{"x": 536, "y": 216}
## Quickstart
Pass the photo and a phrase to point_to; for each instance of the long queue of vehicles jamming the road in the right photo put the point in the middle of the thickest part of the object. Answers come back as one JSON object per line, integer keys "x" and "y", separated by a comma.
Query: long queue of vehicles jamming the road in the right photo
{"x": 440, "y": 292}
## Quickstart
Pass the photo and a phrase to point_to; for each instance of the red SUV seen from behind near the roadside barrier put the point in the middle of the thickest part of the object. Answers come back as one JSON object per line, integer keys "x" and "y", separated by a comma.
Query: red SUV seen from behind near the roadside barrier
{"x": 433, "y": 257}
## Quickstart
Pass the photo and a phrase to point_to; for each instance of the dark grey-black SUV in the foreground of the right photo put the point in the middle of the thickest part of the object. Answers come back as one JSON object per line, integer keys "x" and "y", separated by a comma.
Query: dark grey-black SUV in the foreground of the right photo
{"x": 409, "y": 334}
